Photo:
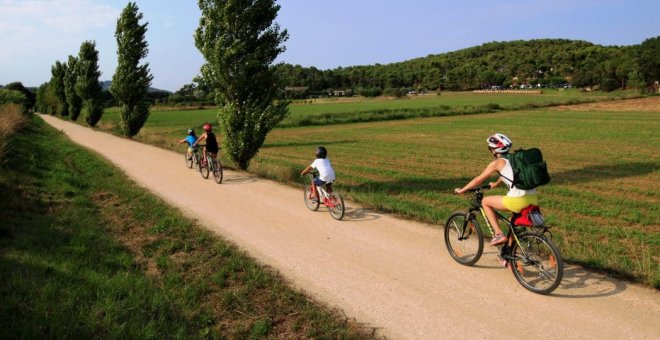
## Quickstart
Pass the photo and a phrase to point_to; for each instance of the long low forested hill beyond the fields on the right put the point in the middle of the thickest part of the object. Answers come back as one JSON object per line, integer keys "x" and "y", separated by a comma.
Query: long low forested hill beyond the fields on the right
{"x": 548, "y": 62}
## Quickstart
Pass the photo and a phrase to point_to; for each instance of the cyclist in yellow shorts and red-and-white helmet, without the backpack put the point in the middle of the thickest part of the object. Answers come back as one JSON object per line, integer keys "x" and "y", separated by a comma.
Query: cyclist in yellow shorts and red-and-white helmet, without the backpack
{"x": 515, "y": 200}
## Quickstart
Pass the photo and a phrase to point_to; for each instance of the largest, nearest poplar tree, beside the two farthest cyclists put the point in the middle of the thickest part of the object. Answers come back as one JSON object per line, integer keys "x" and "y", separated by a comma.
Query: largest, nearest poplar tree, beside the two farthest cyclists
{"x": 240, "y": 41}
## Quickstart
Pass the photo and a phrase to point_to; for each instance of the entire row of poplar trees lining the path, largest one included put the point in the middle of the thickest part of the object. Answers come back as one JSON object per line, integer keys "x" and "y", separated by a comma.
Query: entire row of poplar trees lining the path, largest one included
{"x": 239, "y": 40}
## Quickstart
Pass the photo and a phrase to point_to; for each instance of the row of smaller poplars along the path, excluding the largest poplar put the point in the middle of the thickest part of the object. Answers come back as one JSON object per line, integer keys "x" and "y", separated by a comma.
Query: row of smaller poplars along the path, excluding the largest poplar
{"x": 74, "y": 87}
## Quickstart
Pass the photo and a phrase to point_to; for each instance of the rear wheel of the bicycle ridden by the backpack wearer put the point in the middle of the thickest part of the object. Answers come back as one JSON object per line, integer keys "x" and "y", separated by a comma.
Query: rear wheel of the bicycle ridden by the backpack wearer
{"x": 536, "y": 263}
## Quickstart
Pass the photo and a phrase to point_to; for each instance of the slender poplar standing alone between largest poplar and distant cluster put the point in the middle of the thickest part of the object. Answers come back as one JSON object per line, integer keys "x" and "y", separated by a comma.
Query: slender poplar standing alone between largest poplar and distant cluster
{"x": 131, "y": 81}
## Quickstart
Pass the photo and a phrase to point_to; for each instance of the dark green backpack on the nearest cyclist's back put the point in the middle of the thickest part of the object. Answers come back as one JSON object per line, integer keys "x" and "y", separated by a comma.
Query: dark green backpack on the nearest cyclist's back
{"x": 529, "y": 169}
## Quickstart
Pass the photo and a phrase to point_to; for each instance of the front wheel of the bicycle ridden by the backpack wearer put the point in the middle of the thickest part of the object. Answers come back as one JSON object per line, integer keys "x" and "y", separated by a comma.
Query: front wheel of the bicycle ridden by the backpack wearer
{"x": 464, "y": 241}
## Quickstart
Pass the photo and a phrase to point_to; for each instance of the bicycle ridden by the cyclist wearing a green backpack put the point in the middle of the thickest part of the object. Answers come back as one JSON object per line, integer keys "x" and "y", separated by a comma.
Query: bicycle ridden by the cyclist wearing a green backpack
{"x": 529, "y": 251}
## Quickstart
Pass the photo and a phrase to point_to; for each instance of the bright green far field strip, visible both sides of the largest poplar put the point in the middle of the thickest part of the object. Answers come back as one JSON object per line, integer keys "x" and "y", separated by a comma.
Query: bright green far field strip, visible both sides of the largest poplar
{"x": 350, "y": 110}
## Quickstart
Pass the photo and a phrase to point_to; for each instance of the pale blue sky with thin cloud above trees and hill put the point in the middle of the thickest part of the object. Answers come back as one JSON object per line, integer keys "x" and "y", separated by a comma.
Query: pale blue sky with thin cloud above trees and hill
{"x": 34, "y": 34}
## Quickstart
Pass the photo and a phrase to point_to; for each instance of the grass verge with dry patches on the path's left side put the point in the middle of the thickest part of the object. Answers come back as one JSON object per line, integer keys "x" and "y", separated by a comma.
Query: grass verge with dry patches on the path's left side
{"x": 86, "y": 253}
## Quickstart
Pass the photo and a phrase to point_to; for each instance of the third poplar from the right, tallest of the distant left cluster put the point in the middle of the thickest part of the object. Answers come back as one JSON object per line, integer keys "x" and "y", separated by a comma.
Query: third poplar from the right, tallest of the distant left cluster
{"x": 87, "y": 86}
